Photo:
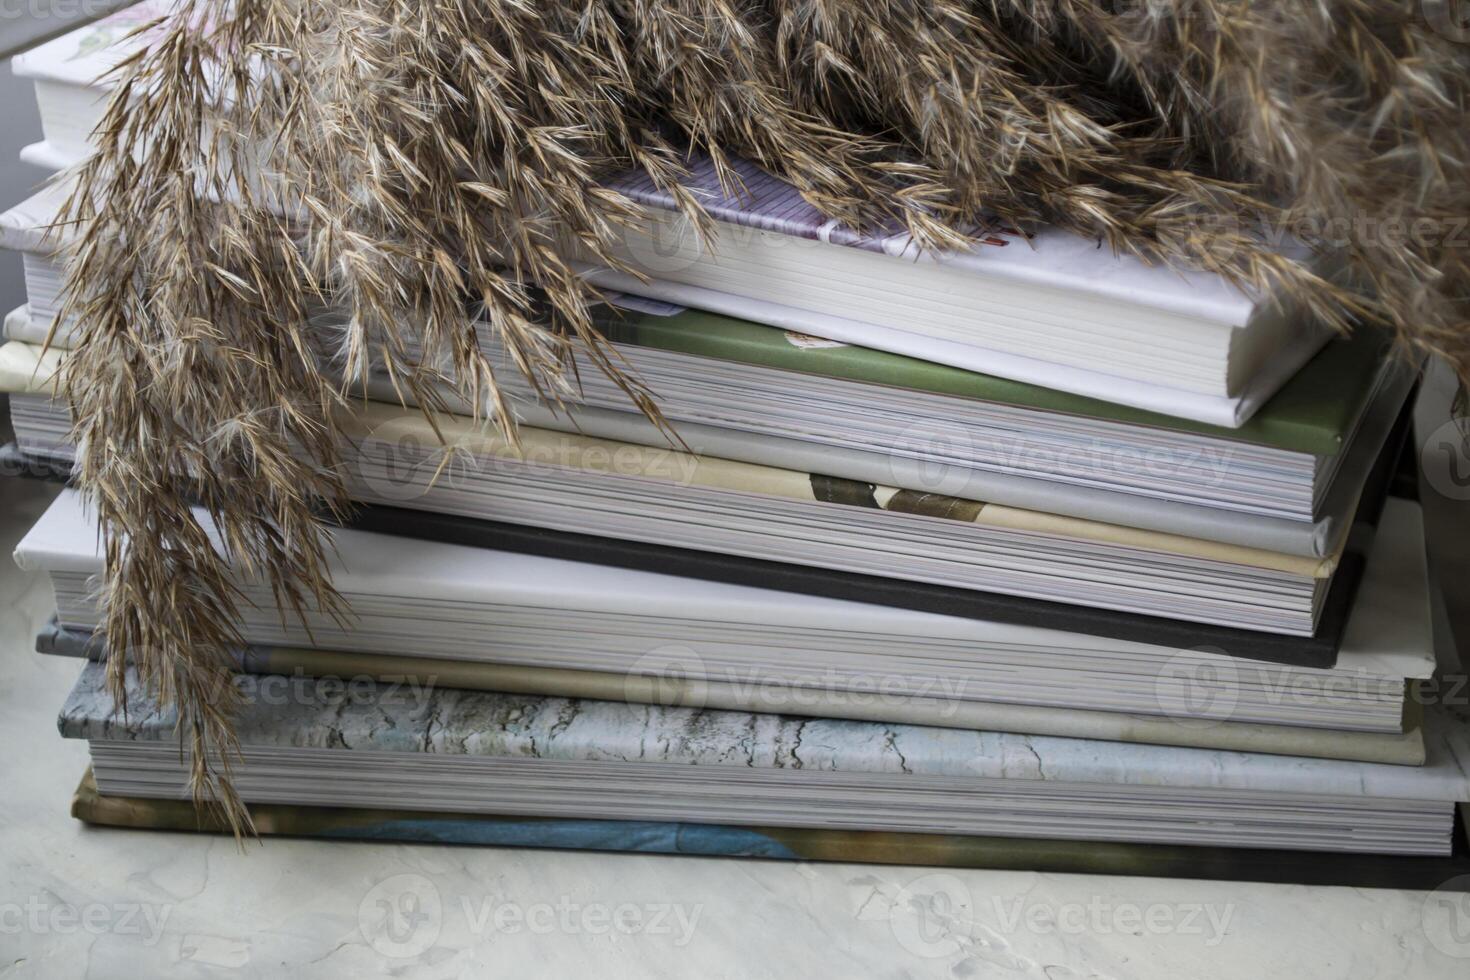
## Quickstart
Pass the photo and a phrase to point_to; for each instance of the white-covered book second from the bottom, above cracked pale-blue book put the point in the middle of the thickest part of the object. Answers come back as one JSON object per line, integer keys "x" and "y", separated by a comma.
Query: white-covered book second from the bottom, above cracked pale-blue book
{"x": 693, "y": 640}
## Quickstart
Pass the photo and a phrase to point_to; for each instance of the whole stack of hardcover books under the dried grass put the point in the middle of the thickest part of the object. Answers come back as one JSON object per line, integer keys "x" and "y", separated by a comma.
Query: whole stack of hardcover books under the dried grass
{"x": 1030, "y": 556}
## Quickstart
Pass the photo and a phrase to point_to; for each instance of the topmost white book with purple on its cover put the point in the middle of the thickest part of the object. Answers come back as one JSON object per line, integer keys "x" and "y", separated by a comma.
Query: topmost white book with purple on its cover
{"x": 1056, "y": 309}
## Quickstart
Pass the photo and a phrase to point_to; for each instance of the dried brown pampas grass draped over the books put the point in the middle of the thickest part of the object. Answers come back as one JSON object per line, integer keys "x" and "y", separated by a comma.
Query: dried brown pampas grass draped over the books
{"x": 417, "y": 161}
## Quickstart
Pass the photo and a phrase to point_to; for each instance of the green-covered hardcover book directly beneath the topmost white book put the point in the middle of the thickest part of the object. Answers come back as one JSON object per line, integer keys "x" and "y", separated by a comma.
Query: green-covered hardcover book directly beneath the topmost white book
{"x": 770, "y": 397}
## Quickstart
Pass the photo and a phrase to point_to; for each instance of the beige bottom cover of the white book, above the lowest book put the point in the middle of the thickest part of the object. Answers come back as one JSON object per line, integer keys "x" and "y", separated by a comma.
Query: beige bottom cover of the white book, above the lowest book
{"x": 683, "y": 678}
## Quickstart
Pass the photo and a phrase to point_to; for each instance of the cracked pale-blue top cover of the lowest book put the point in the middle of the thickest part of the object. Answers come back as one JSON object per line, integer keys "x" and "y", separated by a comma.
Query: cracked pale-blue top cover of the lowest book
{"x": 286, "y": 713}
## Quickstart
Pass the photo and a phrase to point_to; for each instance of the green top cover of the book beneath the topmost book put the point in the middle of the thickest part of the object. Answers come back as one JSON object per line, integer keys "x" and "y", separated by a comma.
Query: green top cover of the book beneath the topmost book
{"x": 1313, "y": 414}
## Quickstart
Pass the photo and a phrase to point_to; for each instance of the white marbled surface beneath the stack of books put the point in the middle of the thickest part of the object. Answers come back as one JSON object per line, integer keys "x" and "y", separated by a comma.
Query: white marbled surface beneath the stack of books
{"x": 85, "y": 903}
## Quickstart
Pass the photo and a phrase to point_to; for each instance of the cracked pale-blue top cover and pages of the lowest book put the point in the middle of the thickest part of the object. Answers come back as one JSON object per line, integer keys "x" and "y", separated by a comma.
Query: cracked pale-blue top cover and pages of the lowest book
{"x": 568, "y": 759}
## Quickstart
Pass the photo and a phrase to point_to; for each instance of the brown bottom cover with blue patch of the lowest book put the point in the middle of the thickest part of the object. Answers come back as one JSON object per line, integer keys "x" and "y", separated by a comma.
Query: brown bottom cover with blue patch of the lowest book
{"x": 793, "y": 844}
